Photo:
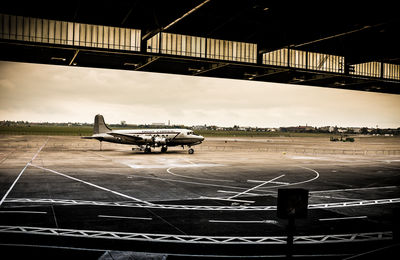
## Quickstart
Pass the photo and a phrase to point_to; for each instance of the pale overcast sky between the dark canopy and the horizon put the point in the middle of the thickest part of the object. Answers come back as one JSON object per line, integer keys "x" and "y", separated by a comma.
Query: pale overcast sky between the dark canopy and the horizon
{"x": 48, "y": 93}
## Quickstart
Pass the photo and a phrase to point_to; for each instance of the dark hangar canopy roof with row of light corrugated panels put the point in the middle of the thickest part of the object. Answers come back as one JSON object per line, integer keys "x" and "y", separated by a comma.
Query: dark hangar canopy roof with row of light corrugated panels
{"x": 247, "y": 40}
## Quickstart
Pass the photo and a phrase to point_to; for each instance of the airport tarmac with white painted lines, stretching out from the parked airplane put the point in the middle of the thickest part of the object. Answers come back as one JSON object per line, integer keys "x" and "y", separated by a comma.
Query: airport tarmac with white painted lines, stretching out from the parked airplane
{"x": 227, "y": 188}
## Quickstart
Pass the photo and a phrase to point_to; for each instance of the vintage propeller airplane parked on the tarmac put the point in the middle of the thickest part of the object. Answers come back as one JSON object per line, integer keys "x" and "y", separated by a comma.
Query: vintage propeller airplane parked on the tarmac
{"x": 145, "y": 139}
